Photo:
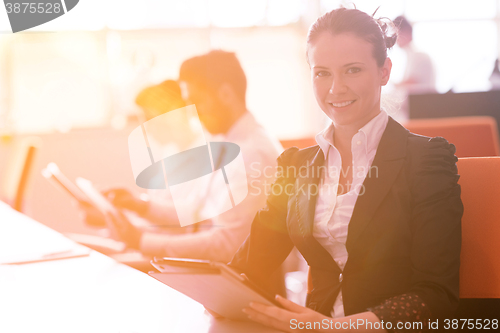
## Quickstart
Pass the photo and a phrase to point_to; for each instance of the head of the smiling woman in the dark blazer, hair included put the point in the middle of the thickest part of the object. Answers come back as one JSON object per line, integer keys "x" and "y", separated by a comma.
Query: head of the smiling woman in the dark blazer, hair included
{"x": 347, "y": 54}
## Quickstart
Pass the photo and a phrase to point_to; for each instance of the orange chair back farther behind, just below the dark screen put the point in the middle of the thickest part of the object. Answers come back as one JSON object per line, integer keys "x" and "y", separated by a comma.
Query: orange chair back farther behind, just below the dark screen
{"x": 472, "y": 136}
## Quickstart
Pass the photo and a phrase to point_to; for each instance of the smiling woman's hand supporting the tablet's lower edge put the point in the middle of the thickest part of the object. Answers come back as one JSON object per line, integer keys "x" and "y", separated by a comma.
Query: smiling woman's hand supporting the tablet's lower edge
{"x": 283, "y": 319}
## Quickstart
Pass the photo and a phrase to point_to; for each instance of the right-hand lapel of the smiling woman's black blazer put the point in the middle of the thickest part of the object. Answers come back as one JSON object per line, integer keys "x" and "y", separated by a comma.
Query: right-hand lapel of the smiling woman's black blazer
{"x": 386, "y": 165}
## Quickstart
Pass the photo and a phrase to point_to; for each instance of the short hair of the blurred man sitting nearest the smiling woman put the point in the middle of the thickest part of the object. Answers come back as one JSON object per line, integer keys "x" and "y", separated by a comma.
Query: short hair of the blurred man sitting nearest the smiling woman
{"x": 212, "y": 70}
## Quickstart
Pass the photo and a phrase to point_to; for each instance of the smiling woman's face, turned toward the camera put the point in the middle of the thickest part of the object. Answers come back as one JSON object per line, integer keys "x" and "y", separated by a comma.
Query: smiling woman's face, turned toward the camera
{"x": 346, "y": 78}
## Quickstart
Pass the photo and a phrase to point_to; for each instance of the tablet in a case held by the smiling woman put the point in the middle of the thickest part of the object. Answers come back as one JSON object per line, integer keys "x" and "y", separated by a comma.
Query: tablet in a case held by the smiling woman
{"x": 215, "y": 285}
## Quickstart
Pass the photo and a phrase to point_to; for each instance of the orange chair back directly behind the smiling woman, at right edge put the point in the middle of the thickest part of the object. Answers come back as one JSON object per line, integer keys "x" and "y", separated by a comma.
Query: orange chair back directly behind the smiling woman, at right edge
{"x": 479, "y": 259}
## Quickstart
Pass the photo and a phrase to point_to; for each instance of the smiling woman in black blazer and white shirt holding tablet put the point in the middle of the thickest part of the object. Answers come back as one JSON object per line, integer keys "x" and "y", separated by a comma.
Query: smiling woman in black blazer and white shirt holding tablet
{"x": 375, "y": 210}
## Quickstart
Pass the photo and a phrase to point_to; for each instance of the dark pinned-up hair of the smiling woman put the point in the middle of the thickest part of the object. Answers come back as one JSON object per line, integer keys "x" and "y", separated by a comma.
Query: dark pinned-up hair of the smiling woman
{"x": 381, "y": 33}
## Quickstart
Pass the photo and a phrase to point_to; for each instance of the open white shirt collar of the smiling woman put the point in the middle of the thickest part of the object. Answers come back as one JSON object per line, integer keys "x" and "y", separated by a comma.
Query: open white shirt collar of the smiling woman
{"x": 370, "y": 134}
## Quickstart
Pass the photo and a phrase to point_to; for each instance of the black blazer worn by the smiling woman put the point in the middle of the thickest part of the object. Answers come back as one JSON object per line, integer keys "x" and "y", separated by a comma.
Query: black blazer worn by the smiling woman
{"x": 404, "y": 235}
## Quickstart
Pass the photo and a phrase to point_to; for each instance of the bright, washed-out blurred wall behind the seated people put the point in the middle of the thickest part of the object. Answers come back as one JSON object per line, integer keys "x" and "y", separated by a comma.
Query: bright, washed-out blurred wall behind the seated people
{"x": 73, "y": 81}
